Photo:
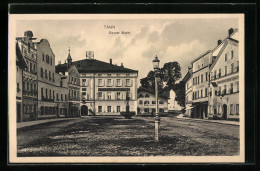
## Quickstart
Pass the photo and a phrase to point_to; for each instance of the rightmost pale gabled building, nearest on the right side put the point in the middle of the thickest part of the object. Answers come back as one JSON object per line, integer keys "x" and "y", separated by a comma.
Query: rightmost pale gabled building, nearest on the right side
{"x": 224, "y": 71}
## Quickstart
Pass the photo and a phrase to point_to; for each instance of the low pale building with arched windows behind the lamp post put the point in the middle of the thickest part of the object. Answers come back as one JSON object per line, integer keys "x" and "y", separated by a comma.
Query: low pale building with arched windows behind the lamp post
{"x": 146, "y": 102}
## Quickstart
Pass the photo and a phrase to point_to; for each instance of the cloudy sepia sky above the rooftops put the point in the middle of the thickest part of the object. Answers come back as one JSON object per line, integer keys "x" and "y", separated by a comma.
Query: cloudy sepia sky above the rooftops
{"x": 171, "y": 39}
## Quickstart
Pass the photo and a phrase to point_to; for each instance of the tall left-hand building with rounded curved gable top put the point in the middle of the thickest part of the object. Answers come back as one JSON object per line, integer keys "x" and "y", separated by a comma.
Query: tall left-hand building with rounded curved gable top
{"x": 47, "y": 83}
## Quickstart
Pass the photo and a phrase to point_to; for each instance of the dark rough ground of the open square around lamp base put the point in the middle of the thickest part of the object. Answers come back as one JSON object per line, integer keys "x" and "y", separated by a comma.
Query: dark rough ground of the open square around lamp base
{"x": 116, "y": 136}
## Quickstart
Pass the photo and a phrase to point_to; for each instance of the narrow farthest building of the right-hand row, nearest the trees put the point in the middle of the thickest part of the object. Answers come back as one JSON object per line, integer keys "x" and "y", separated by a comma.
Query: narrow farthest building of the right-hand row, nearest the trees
{"x": 188, "y": 92}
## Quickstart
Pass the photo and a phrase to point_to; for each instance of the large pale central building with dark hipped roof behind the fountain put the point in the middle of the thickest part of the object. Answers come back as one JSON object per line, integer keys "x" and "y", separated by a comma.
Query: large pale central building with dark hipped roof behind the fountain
{"x": 104, "y": 86}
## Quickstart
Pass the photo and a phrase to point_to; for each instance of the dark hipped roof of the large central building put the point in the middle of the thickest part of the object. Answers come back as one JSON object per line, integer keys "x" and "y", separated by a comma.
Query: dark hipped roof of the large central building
{"x": 94, "y": 66}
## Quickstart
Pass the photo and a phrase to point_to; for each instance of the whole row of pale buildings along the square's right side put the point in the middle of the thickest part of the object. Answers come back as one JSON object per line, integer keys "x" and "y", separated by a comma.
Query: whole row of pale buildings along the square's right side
{"x": 212, "y": 81}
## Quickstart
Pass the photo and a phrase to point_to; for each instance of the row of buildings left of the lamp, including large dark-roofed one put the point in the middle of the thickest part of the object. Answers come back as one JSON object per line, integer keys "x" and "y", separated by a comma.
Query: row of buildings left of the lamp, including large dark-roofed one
{"x": 75, "y": 88}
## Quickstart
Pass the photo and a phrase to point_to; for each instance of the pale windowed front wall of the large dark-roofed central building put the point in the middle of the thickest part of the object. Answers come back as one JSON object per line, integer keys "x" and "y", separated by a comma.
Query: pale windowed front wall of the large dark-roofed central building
{"x": 108, "y": 89}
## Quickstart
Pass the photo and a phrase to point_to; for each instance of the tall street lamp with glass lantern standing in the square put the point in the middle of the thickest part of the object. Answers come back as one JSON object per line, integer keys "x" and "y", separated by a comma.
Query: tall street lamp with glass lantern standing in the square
{"x": 156, "y": 63}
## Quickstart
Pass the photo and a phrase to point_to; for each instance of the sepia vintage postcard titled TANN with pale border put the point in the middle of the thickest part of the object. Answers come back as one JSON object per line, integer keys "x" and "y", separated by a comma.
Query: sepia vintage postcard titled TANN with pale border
{"x": 126, "y": 88}
